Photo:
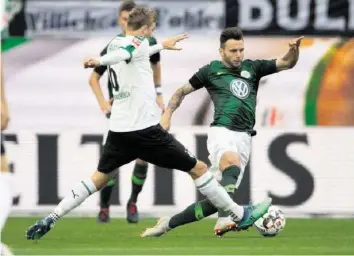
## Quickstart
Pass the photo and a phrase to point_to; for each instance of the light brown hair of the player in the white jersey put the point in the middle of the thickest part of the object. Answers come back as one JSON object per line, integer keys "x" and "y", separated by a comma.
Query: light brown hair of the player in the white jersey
{"x": 141, "y": 16}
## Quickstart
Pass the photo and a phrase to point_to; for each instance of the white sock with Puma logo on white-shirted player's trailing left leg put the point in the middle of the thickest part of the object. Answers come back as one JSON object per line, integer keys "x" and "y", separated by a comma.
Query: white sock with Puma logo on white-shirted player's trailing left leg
{"x": 77, "y": 195}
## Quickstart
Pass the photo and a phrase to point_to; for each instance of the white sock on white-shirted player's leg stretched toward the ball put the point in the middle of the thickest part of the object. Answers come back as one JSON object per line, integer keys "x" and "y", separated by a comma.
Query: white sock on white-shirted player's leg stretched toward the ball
{"x": 217, "y": 195}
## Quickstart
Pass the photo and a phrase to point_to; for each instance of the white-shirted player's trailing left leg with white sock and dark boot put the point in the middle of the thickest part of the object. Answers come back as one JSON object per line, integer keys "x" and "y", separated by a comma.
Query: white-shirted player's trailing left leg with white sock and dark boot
{"x": 73, "y": 199}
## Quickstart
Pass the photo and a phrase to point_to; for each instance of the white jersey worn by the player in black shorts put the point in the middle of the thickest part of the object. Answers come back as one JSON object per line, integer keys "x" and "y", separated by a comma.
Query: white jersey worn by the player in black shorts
{"x": 134, "y": 106}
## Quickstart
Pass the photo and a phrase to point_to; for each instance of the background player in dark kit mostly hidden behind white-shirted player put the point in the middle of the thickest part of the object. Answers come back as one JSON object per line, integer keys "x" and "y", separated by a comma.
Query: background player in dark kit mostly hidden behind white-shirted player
{"x": 141, "y": 167}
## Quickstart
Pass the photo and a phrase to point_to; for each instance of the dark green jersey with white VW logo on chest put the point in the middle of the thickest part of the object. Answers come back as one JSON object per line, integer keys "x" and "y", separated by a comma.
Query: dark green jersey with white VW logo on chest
{"x": 233, "y": 91}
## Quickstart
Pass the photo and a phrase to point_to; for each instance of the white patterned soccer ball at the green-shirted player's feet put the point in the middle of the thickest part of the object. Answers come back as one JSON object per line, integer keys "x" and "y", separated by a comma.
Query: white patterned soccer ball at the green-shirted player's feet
{"x": 272, "y": 222}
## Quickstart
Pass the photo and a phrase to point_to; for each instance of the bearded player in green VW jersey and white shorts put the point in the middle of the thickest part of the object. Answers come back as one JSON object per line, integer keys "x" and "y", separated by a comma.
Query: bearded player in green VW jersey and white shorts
{"x": 232, "y": 84}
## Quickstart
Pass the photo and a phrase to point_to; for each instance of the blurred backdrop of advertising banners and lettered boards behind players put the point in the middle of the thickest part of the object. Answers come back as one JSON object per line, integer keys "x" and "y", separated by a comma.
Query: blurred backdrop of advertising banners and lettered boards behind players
{"x": 302, "y": 155}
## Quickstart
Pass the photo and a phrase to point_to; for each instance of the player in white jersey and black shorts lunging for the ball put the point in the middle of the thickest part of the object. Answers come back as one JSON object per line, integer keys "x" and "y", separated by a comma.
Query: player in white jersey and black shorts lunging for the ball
{"x": 135, "y": 131}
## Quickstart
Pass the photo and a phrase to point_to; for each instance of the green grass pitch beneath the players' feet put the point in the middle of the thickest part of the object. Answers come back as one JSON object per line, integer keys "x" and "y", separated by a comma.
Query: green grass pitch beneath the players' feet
{"x": 74, "y": 236}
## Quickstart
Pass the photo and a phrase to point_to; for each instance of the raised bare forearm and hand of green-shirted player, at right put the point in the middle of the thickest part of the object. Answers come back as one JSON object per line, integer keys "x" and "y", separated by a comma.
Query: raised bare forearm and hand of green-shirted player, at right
{"x": 291, "y": 57}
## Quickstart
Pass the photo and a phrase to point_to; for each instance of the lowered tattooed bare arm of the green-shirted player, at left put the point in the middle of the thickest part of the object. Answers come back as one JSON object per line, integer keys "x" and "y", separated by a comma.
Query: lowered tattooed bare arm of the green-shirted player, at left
{"x": 174, "y": 103}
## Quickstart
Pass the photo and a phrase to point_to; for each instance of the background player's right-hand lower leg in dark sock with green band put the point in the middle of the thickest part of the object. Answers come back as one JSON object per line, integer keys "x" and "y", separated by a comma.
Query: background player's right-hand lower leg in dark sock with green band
{"x": 138, "y": 180}
